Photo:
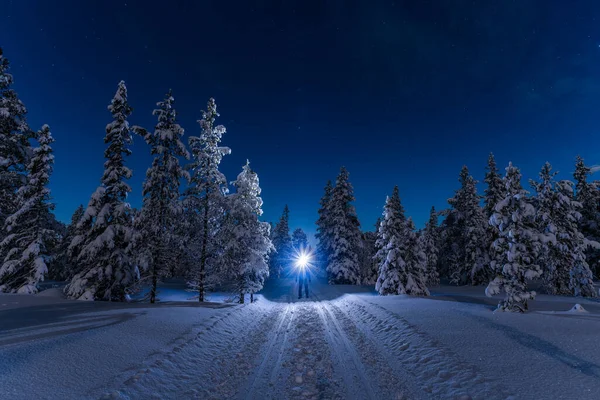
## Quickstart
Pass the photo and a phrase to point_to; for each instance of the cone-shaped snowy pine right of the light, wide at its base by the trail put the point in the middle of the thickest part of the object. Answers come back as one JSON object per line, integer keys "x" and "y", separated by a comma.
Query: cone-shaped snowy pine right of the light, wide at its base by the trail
{"x": 402, "y": 263}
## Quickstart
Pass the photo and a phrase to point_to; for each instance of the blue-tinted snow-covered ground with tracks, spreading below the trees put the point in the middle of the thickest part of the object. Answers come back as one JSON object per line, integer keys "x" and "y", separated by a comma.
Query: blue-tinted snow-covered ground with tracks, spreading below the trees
{"x": 342, "y": 343}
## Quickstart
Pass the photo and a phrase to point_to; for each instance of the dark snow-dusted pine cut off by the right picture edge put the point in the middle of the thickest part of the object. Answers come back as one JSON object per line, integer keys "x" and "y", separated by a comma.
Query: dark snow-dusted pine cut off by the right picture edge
{"x": 588, "y": 195}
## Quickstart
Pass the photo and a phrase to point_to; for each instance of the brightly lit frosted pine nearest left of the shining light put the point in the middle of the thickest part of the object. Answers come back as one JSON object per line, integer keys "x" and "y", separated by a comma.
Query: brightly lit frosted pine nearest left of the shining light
{"x": 251, "y": 244}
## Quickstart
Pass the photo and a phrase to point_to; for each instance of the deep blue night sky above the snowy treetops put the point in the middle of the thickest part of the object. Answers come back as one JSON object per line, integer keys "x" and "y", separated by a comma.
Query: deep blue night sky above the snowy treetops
{"x": 402, "y": 92}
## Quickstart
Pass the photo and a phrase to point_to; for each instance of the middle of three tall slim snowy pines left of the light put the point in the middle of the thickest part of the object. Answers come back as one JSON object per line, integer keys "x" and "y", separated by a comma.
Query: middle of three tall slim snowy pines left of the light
{"x": 162, "y": 208}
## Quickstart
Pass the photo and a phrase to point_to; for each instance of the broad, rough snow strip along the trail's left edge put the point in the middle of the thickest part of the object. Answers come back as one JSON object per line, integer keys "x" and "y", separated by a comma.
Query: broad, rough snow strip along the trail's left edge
{"x": 212, "y": 364}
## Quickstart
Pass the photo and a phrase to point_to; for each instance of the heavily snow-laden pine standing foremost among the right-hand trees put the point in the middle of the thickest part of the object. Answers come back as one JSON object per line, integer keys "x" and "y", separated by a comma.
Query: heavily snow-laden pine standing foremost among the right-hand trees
{"x": 517, "y": 246}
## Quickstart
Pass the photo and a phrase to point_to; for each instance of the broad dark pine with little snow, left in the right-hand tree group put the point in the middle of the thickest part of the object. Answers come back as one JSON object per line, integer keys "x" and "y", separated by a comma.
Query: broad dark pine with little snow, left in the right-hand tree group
{"x": 466, "y": 252}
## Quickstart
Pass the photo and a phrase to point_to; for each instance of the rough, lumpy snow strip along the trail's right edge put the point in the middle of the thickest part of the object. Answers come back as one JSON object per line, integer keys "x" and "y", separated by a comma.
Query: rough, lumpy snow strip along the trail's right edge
{"x": 440, "y": 372}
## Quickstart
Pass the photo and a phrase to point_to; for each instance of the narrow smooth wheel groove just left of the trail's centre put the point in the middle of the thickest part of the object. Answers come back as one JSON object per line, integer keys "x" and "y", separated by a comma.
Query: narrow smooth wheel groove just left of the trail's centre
{"x": 272, "y": 355}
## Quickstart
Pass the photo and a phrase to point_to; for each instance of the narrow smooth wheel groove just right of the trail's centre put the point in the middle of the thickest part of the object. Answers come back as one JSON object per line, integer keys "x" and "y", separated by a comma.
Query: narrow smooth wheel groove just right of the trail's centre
{"x": 349, "y": 365}
